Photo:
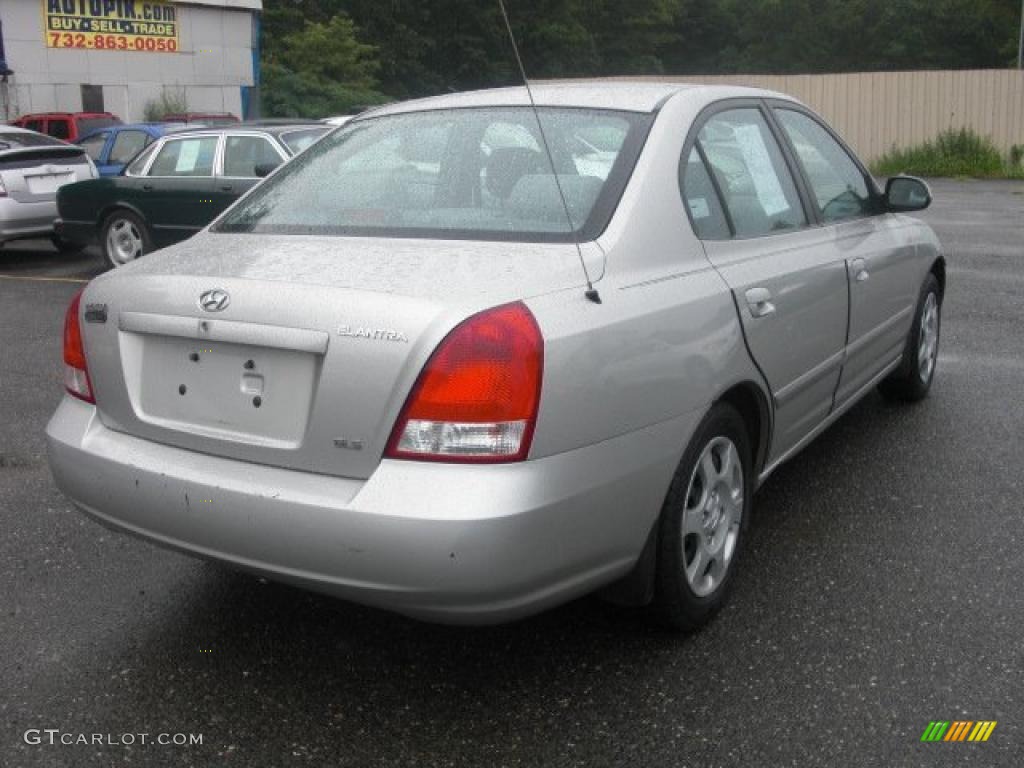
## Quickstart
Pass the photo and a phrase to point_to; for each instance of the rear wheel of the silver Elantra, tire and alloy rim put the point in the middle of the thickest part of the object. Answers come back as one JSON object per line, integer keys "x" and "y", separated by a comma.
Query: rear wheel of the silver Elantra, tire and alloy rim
{"x": 705, "y": 521}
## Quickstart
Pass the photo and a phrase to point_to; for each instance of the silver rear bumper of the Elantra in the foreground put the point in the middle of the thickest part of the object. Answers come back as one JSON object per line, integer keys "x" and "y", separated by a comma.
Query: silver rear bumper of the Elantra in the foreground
{"x": 451, "y": 543}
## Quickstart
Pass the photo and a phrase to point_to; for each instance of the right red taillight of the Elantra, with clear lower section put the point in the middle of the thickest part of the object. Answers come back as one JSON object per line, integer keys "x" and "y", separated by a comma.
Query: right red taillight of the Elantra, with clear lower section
{"x": 478, "y": 397}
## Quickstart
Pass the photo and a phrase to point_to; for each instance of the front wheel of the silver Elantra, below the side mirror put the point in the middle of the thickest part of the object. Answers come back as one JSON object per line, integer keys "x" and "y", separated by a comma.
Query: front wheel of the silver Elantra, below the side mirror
{"x": 914, "y": 378}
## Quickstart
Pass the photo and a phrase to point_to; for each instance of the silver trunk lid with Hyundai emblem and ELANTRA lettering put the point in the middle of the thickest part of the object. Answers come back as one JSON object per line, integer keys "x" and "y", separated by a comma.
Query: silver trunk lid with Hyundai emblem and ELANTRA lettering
{"x": 311, "y": 357}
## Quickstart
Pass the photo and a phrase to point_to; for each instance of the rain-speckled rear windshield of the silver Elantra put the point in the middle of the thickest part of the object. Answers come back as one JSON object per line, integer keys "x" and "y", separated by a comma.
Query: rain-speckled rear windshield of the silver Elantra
{"x": 471, "y": 174}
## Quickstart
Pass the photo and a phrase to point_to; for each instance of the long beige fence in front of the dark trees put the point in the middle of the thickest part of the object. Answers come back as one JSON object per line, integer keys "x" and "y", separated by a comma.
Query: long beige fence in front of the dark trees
{"x": 877, "y": 111}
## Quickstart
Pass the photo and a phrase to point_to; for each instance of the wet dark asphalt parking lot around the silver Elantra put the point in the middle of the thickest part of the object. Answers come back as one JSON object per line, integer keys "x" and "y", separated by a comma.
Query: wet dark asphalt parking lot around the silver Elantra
{"x": 881, "y": 591}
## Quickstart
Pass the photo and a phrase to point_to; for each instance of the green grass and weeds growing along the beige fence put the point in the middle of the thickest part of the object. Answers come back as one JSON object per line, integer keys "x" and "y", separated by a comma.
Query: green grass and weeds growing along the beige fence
{"x": 953, "y": 153}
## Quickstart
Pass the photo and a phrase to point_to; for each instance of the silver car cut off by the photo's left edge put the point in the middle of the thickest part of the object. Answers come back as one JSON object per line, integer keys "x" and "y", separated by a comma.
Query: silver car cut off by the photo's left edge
{"x": 33, "y": 167}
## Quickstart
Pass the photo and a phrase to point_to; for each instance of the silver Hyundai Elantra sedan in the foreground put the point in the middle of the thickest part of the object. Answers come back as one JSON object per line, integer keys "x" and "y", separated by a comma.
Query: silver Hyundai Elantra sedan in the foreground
{"x": 419, "y": 370}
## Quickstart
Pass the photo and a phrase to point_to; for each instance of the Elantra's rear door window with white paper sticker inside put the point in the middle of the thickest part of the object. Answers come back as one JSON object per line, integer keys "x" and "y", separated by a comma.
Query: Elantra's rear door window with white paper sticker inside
{"x": 749, "y": 167}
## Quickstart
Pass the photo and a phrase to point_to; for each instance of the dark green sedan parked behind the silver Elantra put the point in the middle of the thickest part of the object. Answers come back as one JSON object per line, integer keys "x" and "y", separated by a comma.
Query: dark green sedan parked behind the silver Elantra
{"x": 175, "y": 188}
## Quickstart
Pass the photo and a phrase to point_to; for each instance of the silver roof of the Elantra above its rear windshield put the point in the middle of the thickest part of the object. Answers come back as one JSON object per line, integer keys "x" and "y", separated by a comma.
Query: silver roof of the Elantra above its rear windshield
{"x": 628, "y": 96}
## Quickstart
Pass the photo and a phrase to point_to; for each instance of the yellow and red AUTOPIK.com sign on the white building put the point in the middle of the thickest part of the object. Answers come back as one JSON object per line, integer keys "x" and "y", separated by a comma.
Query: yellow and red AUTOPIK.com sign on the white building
{"x": 111, "y": 25}
